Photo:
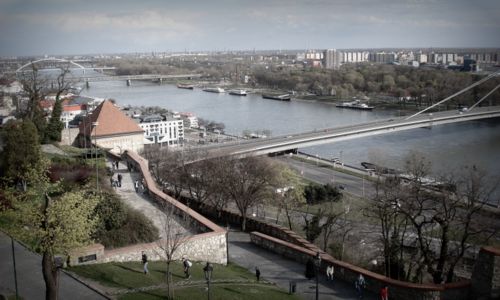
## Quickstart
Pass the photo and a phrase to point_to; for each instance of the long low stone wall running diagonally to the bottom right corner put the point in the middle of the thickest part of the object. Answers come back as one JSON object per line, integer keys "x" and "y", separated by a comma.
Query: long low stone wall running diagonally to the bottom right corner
{"x": 348, "y": 273}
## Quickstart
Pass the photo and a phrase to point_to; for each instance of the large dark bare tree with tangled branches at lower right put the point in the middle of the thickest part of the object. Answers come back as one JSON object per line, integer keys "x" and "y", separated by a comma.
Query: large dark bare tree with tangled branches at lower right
{"x": 441, "y": 216}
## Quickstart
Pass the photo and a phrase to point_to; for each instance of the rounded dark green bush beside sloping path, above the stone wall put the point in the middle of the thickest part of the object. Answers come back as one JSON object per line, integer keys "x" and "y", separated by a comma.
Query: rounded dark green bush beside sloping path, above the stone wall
{"x": 121, "y": 225}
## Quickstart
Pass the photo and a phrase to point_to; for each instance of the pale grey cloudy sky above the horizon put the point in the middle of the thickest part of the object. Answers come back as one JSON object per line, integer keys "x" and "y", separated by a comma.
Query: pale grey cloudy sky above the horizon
{"x": 55, "y": 27}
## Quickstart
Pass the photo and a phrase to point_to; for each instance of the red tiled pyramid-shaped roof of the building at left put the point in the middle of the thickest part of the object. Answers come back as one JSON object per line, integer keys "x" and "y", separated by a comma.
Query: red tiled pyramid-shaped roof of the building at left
{"x": 111, "y": 121}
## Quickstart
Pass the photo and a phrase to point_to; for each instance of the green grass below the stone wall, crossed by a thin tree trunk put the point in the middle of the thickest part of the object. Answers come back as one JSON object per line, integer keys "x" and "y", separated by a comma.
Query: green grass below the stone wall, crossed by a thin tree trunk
{"x": 129, "y": 275}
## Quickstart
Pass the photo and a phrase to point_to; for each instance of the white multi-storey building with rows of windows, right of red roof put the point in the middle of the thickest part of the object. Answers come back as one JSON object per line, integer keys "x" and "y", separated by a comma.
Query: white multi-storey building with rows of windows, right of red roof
{"x": 161, "y": 130}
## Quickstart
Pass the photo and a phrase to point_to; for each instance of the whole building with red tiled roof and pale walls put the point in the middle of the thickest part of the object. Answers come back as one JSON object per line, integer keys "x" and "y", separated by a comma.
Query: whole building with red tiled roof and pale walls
{"x": 110, "y": 128}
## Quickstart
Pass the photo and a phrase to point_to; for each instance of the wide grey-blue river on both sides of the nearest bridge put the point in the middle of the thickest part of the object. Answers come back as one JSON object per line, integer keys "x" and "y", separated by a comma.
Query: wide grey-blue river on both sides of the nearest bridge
{"x": 447, "y": 147}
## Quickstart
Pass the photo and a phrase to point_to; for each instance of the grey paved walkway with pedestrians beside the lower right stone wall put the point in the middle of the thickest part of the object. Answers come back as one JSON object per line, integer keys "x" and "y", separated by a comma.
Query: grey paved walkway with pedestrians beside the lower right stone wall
{"x": 281, "y": 271}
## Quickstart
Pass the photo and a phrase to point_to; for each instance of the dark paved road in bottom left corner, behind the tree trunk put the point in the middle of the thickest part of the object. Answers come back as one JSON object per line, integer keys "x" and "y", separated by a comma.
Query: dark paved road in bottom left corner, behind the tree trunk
{"x": 30, "y": 278}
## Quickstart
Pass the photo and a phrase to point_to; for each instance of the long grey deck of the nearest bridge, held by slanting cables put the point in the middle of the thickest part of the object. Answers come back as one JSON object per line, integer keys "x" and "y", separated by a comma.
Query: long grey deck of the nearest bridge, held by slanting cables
{"x": 329, "y": 135}
